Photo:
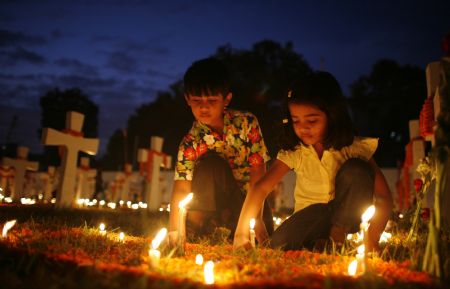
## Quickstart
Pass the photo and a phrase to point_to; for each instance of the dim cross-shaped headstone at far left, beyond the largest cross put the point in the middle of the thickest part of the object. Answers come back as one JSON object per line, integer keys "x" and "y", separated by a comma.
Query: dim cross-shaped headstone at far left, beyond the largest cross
{"x": 21, "y": 165}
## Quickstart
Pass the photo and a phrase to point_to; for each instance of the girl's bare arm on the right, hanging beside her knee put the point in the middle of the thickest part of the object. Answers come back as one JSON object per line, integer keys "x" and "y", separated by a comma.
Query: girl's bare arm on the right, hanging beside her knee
{"x": 383, "y": 207}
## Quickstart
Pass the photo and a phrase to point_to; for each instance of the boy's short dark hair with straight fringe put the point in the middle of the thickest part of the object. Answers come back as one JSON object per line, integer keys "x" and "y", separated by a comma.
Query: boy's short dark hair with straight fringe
{"x": 207, "y": 76}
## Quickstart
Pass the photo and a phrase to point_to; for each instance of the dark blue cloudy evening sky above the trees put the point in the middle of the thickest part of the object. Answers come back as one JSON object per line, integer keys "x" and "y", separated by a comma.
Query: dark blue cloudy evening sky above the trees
{"x": 122, "y": 52}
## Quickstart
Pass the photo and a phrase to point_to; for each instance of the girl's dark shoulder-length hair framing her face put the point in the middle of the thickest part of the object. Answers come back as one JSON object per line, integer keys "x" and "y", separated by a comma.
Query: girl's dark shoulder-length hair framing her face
{"x": 322, "y": 90}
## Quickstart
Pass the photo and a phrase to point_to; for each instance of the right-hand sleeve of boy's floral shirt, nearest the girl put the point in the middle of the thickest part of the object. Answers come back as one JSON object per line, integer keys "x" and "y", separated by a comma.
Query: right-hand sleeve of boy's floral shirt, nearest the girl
{"x": 258, "y": 151}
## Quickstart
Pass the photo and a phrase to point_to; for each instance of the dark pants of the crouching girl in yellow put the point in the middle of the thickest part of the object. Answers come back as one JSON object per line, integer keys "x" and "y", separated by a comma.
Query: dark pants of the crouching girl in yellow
{"x": 354, "y": 186}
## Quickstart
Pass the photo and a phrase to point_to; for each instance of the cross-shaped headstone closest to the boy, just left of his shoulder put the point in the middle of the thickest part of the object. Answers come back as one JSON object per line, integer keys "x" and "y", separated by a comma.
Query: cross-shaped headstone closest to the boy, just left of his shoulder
{"x": 153, "y": 159}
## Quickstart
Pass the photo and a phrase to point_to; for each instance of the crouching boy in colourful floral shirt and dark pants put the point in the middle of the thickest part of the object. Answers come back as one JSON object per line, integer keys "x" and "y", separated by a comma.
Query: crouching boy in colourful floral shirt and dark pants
{"x": 220, "y": 158}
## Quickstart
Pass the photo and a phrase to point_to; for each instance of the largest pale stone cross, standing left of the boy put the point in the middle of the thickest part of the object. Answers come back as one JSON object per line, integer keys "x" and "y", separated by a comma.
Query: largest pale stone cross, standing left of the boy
{"x": 73, "y": 141}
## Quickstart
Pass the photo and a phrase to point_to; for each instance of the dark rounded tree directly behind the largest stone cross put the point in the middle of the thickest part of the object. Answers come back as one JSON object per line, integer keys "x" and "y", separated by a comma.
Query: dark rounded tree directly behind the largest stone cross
{"x": 54, "y": 106}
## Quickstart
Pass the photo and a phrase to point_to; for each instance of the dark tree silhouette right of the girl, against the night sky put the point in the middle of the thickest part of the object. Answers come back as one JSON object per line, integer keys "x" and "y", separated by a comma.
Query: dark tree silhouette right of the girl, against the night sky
{"x": 383, "y": 103}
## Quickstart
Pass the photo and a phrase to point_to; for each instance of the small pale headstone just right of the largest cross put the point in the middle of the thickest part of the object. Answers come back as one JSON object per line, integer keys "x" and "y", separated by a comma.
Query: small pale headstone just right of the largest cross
{"x": 85, "y": 180}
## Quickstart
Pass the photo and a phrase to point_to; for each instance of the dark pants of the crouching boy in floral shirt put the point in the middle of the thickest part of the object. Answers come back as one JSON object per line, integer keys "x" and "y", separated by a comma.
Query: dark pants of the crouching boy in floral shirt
{"x": 218, "y": 197}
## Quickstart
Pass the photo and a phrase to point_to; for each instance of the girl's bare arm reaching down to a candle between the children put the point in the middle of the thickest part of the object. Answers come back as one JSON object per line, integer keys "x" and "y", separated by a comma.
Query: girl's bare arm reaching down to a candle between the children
{"x": 254, "y": 201}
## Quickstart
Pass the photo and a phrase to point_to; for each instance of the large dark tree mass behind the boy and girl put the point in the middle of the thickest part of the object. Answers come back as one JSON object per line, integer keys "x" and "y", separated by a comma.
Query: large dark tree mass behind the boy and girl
{"x": 262, "y": 76}
